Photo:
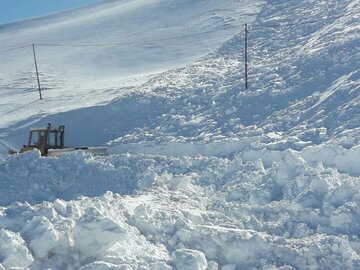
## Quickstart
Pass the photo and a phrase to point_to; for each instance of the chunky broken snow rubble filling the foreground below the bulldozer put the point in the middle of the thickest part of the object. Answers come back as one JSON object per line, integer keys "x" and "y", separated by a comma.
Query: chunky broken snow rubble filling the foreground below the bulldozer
{"x": 186, "y": 212}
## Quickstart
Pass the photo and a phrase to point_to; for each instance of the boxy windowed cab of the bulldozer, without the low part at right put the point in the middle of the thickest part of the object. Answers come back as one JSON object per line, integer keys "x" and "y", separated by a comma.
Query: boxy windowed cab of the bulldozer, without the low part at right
{"x": 45, "y": 139}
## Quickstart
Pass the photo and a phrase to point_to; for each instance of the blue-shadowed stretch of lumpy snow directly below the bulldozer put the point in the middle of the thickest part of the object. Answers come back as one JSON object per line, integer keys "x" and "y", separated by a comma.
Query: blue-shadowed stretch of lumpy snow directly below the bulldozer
{"x": 34, "y": 178}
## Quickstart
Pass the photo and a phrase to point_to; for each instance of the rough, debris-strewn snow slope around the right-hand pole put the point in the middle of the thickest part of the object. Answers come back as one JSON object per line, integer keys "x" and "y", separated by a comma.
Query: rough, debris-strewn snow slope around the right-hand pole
{"x": 302, "y": 86}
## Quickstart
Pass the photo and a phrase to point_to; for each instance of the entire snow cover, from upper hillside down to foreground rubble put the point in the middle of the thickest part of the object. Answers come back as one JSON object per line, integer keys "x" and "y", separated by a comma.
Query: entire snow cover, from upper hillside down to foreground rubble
{"x": 203, "y": 174}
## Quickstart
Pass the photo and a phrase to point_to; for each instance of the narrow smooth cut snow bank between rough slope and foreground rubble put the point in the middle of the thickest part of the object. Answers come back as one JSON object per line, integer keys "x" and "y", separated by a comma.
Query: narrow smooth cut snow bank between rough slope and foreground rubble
{"x": 252, "y": 148}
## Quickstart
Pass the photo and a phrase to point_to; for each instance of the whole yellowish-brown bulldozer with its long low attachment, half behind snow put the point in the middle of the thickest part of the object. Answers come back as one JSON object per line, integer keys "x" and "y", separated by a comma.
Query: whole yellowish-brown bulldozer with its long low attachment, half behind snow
{"x": 50, "y": 142}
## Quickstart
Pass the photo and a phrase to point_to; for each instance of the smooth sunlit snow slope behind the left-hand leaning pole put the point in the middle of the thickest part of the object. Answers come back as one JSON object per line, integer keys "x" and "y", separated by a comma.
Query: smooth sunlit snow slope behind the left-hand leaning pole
{"x": 91, "y": 55}
